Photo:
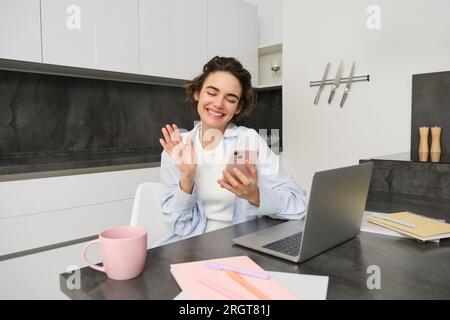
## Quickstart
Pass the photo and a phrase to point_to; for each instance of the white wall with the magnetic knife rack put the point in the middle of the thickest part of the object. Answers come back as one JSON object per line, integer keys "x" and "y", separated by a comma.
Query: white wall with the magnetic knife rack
{"x": 414, "y": 38}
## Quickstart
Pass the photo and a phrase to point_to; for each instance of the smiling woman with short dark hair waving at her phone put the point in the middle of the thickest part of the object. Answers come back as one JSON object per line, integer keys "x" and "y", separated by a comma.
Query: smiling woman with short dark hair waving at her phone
{"x": 198, "y": 193}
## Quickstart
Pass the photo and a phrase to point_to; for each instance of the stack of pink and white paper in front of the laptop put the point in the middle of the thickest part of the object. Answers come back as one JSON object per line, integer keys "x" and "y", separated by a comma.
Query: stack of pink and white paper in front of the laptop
{"x": 280, "y": 286}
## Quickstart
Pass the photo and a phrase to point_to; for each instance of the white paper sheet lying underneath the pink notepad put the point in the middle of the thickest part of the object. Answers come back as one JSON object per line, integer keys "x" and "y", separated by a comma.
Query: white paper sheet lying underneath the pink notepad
{"x": 305, "y": 287}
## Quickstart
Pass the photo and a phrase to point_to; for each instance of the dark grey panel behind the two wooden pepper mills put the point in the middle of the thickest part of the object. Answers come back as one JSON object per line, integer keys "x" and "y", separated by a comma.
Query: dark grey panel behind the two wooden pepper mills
{"x": 431, "y": 107}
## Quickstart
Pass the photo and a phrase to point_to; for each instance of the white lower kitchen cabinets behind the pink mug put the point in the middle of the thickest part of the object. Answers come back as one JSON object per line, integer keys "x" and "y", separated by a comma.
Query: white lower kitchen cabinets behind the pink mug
{"x": 41, "y": 212}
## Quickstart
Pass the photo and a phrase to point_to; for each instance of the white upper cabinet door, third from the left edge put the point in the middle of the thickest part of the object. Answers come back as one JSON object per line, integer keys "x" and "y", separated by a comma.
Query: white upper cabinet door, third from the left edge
{"x": 172, "y": 37}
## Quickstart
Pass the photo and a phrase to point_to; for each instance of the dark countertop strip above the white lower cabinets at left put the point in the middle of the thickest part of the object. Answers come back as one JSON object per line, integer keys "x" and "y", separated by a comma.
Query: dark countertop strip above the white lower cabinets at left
{"x": 53, "y": 162}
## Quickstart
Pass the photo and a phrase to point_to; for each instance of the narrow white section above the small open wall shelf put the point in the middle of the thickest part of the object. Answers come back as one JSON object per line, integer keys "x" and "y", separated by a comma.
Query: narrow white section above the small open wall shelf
{"x": 270, "y": 21}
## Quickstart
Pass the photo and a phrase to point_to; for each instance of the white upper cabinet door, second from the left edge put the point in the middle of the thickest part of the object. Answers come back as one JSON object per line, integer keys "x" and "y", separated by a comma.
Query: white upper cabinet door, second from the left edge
{"x": 95, "y": 34}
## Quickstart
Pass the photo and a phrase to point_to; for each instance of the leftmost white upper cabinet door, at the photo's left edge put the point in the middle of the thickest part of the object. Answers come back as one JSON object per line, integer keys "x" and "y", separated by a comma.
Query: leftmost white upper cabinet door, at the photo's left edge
{"x": 20, "y": 30}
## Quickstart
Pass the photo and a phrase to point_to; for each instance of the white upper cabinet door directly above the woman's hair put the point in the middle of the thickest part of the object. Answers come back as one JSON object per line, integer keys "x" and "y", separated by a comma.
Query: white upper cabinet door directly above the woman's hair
{"x": 233, "y": 31}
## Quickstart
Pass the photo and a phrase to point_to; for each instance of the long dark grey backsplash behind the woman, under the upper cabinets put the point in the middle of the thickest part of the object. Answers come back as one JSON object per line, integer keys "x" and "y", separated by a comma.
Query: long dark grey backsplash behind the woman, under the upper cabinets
{"x": 46, "y": 114}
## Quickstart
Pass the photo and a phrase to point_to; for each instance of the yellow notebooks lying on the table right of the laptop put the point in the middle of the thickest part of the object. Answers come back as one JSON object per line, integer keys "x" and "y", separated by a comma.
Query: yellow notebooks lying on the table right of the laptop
{"x": 424, "y": 228}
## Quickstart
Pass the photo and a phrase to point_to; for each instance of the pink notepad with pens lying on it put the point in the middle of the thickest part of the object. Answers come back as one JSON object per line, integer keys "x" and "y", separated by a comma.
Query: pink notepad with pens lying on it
{"x": 188, "y": 274}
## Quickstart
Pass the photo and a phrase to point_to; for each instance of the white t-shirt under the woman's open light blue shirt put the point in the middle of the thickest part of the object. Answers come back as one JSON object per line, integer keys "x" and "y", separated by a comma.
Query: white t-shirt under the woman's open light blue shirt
{"x": 217, "y": 201}
